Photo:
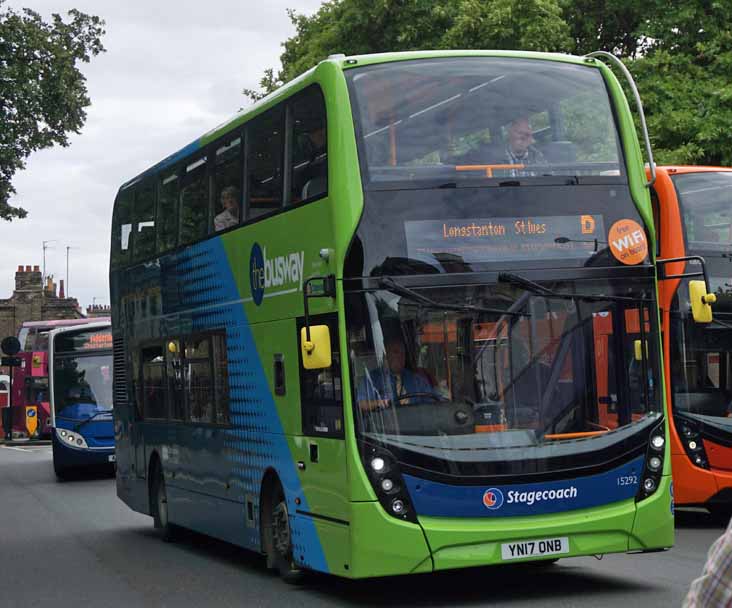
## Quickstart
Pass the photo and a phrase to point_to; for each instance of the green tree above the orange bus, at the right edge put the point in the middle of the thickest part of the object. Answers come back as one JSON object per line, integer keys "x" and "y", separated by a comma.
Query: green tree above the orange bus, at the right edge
{"x": 683, "y": 79}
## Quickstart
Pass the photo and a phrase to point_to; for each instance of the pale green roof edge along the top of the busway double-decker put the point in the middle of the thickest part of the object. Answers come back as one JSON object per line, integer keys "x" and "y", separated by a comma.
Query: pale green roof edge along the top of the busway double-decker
{"x": 342, "y": 62}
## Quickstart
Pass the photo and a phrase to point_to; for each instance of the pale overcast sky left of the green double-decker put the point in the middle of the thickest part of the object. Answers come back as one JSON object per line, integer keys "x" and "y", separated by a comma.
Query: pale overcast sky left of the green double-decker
{"x": 172, "y": 71}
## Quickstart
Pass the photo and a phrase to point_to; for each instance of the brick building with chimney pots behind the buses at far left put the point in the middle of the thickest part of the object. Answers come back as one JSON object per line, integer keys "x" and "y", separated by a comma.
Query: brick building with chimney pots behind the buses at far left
{"x": 33, "y": 301}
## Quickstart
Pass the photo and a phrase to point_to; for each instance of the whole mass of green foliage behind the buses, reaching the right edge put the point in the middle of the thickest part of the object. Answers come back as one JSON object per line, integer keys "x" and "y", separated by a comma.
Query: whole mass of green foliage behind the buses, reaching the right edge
{"x": 679, "y": 52}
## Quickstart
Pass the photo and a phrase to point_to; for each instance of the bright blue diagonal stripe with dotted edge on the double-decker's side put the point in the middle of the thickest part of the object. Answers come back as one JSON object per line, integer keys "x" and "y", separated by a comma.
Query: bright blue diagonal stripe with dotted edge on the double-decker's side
{"x": 256, "y": 441}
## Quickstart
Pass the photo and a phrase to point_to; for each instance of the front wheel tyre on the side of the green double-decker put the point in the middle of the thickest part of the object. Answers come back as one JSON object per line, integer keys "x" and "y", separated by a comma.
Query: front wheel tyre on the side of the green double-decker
{"x": 278, "y": 538}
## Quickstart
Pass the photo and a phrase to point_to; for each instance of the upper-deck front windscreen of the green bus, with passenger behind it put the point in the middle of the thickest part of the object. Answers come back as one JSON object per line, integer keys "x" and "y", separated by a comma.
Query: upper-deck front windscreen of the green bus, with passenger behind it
{"x": 464, "y": 121}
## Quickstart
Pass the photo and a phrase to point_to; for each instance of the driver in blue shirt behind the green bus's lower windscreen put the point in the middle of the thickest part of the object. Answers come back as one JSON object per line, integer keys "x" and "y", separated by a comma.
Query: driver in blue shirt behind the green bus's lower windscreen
{"x": 398, "y": 384}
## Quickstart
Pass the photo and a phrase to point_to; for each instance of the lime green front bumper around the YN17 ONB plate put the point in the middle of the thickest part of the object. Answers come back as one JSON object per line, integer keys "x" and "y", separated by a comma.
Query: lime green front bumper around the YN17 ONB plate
{"x": 443, "y": 543}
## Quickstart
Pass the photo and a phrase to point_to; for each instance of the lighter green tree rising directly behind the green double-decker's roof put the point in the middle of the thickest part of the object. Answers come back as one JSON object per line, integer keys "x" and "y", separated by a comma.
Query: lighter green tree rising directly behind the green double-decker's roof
{"x": 361, "y": 26}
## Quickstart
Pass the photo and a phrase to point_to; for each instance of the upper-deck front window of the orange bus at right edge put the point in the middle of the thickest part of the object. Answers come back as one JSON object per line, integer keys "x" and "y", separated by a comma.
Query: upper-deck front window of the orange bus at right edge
{"x": 706, "y": 206}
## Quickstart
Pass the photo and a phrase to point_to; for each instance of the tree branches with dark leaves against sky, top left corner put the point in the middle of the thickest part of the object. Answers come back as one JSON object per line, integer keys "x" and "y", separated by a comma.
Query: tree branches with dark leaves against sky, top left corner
{"x": 43, "y": 94}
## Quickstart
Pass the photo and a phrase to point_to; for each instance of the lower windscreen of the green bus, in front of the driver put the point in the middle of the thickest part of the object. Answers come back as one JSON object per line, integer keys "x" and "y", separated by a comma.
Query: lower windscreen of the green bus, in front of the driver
{"x": 480, "y": 367}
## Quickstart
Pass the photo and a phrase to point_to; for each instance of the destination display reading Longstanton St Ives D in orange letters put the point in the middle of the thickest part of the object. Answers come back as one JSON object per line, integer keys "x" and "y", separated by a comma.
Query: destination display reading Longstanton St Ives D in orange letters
{"x": 505, "y": 238}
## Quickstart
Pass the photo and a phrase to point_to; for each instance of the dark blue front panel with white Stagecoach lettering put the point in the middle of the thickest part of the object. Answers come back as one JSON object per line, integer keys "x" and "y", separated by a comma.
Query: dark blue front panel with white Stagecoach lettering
{"x": 443, "y": 500}
